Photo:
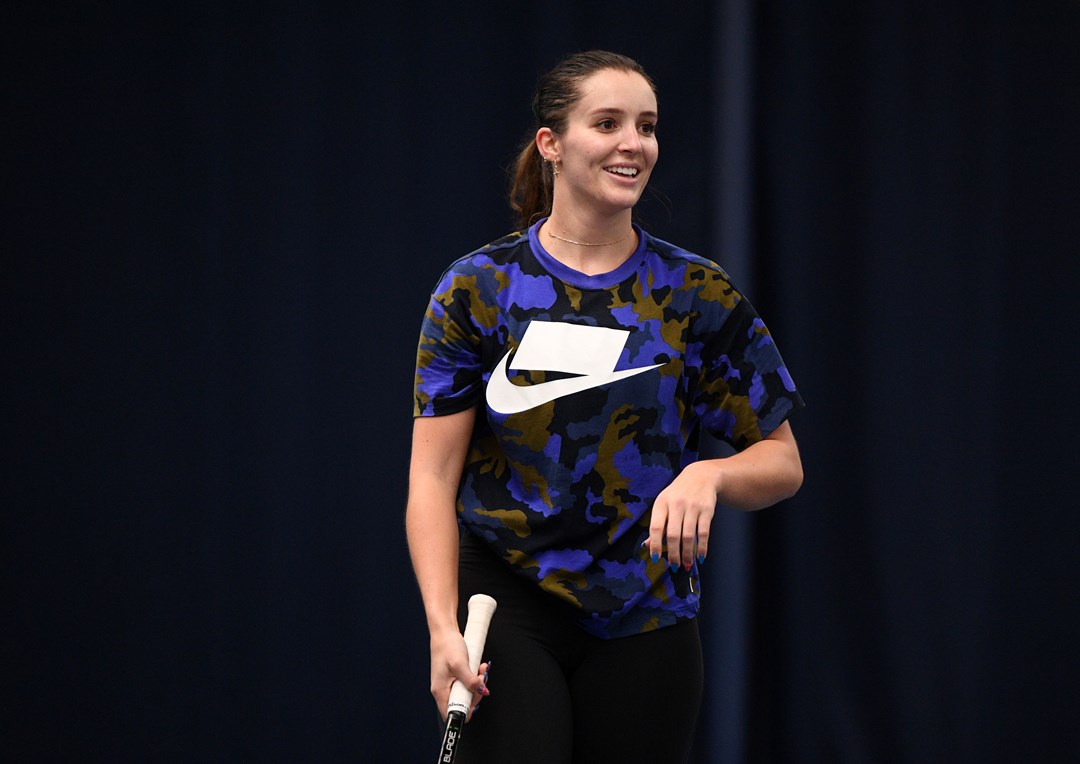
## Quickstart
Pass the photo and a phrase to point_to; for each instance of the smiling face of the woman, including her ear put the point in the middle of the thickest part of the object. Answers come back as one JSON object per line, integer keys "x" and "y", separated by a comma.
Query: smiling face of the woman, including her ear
{"x": 610, "y": 146}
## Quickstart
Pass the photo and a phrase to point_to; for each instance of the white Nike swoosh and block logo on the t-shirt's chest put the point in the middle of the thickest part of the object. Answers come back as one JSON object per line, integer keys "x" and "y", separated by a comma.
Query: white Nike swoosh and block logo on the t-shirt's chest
{"x": 566, "y": 349}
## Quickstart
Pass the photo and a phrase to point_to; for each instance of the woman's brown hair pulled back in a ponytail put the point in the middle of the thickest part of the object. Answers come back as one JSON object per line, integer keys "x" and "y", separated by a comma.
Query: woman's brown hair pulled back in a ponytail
{"x": 557, "y": 93}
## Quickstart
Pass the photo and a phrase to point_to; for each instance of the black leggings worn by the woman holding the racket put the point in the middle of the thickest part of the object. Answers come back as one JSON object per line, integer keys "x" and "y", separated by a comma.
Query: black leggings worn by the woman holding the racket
{"x": 562, "y": 696}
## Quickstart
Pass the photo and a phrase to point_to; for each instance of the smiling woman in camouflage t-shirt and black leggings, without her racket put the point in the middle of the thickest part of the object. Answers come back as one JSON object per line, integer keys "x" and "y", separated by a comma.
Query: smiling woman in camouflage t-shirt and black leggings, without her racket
{"x": 563, "y": 377}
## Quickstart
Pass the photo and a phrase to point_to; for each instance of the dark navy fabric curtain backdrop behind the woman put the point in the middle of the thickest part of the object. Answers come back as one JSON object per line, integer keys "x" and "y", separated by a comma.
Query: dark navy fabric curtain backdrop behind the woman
{"x": 221, "y": 231}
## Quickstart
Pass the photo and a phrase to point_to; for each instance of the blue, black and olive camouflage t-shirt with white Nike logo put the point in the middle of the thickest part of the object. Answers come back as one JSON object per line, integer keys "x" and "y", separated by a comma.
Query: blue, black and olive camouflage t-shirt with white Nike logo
{"x": 593, "y": 391}
